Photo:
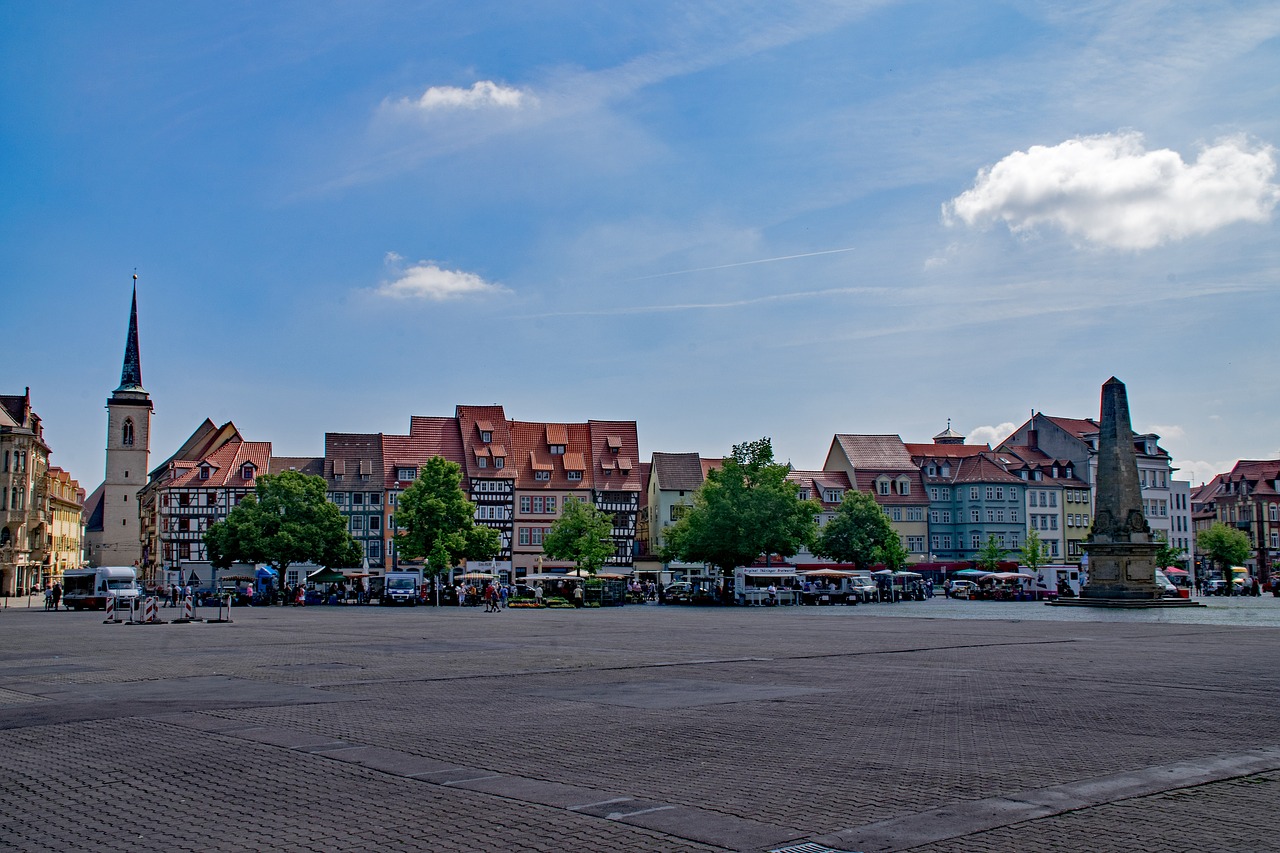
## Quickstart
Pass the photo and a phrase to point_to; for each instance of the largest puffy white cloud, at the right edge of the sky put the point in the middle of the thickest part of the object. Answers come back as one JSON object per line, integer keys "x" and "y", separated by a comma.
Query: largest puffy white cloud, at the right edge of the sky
{"x": 1110, "y": 191}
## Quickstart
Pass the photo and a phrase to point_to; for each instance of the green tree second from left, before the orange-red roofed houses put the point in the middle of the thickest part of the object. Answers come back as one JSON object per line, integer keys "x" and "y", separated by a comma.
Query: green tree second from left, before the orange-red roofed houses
{"x": 436, "y": 521}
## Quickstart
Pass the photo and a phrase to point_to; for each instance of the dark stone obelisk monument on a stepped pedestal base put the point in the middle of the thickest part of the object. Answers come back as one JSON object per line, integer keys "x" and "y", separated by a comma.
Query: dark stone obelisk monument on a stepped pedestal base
{"x": 1121, "y": 549}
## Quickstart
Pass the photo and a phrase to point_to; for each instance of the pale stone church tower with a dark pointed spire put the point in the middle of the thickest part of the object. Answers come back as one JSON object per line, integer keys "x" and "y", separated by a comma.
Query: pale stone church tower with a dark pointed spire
{"x": 129, "y": 451}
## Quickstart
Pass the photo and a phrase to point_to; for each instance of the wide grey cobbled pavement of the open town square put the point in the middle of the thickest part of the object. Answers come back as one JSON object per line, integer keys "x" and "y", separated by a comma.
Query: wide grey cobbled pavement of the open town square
{"x": 930, "y": 727}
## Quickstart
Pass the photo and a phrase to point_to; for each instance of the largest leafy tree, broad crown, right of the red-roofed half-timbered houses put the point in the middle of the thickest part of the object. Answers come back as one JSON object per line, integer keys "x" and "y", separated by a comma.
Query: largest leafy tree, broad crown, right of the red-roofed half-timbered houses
{"x": 744, "y": 509}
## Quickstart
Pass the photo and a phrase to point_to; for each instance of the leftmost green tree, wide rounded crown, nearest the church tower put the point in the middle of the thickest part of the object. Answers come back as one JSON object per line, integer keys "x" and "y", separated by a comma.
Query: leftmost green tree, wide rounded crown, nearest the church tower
{"x": 286, "y": 521}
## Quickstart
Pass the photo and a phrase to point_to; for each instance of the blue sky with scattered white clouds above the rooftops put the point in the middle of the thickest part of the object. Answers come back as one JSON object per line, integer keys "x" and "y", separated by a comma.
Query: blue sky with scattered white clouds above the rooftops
{"x": 720, "y": 220}
